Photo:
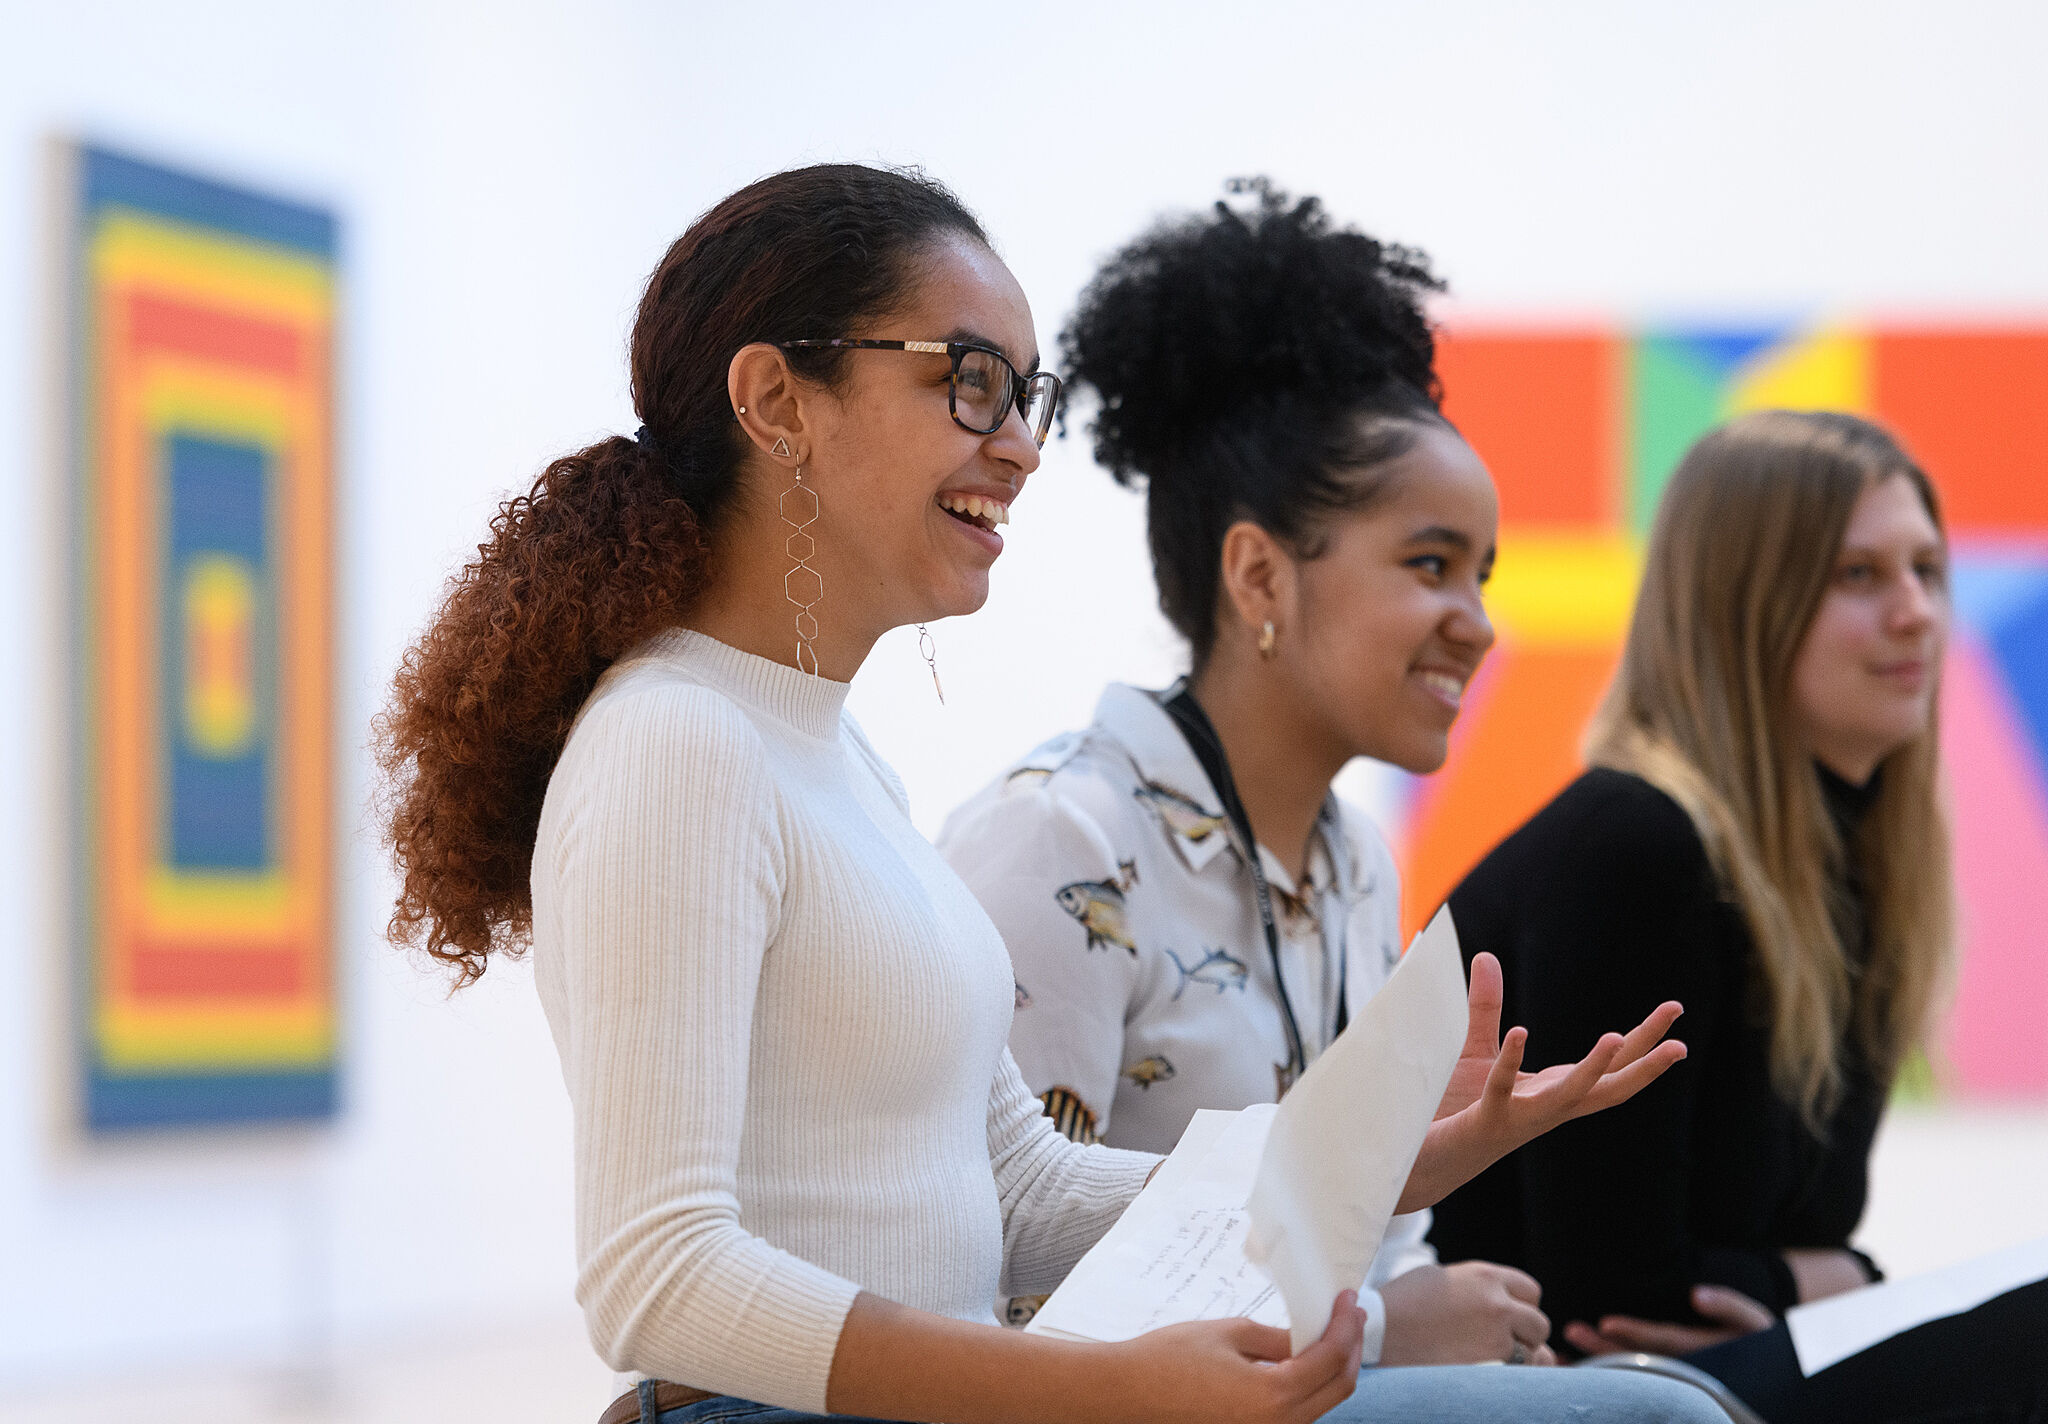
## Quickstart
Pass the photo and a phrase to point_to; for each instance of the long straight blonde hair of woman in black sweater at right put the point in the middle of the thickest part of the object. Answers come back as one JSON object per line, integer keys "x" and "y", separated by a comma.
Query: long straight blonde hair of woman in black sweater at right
{"x": 1742, "y": 554}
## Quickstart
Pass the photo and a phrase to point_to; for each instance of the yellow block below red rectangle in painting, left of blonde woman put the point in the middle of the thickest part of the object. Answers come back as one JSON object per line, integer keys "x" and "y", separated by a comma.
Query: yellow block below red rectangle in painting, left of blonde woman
{"x": 1564, "y": 591}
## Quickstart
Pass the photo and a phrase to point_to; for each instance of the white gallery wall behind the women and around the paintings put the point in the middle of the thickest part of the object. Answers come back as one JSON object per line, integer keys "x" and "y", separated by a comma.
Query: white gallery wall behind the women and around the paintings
{"x": 509, "y": 173}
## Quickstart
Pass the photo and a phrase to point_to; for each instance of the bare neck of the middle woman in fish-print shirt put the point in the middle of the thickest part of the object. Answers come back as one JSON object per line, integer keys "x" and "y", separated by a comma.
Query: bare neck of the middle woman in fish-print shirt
{"x": 1281, "y": 763}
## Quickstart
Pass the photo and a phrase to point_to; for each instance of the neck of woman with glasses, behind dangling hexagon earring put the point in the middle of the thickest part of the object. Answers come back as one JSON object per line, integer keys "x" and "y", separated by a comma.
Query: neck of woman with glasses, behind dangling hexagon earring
{"x": 749, "y": 605}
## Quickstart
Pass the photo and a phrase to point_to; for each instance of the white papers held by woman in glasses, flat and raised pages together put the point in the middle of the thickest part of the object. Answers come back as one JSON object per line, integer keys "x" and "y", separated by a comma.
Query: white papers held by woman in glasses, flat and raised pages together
{"x": 1179, "y": 1253}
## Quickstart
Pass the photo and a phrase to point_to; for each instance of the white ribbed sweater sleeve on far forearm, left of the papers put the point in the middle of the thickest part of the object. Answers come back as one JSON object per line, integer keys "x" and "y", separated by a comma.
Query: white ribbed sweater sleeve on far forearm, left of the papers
{"x": 1058, "y": 1198}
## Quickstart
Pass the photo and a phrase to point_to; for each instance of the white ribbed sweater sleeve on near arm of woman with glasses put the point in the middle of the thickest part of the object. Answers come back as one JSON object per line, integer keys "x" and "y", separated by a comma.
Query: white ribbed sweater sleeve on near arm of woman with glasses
{"x": 667, "y": 894}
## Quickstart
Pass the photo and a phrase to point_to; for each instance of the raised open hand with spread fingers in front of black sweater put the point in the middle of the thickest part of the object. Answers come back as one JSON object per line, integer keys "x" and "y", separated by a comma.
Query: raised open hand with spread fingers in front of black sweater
{"x": 1492, "y": 1107}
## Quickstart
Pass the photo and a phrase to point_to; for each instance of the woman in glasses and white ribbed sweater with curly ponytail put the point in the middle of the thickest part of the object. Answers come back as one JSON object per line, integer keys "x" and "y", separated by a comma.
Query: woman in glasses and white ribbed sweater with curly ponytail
{"x": 806, "y": 1163}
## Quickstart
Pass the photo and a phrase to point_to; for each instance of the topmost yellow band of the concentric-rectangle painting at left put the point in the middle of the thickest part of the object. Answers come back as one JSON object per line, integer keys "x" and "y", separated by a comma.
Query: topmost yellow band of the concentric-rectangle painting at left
{"x": 241, "y": 276}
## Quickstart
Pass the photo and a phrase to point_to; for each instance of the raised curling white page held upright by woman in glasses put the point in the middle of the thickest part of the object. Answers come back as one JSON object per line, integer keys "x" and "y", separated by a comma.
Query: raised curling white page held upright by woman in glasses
{"x": 1347, "y": 1136}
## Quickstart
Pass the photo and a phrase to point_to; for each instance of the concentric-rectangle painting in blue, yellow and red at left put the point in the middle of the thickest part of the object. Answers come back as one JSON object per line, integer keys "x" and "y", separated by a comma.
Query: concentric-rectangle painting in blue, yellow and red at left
{"x": 202, "y": 644}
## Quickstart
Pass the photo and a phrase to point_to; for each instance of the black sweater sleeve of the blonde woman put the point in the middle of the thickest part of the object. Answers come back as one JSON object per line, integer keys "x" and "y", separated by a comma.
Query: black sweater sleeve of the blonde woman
{"x": 1619, "y": 913}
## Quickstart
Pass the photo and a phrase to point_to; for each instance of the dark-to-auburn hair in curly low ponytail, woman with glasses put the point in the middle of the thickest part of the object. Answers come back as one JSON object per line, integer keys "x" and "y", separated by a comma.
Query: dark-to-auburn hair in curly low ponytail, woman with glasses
{"x": 613, "y": 544}
